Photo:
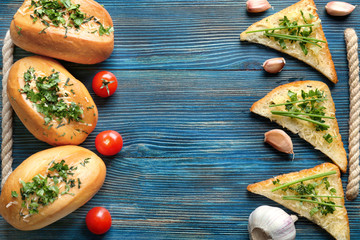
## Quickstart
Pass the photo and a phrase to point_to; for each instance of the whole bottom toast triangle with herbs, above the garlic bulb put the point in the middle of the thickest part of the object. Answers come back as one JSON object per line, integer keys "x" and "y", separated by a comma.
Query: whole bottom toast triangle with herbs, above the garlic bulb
{"x": 323, "y": 180}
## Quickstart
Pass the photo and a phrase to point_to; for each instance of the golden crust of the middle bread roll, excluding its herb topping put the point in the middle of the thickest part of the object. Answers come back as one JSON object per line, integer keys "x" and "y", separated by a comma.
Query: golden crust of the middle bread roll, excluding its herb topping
{"x": 72, "y": 132}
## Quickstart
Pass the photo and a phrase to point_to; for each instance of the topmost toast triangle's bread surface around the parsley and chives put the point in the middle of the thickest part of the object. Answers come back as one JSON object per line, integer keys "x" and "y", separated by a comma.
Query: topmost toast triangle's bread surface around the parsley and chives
{"x": 318, "y": 58}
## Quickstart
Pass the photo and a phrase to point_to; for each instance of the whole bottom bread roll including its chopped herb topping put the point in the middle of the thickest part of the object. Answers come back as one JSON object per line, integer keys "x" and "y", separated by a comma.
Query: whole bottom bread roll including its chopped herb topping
{"x": 28, "y": 208}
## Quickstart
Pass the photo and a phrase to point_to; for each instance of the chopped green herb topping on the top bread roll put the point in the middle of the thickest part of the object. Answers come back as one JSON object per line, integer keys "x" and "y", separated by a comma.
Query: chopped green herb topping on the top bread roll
{"x": 63, "y": 13}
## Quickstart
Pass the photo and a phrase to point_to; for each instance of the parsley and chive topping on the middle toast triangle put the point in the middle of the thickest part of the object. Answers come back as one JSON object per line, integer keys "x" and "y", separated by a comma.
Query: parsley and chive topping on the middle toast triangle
{"x": 309, "y": 109}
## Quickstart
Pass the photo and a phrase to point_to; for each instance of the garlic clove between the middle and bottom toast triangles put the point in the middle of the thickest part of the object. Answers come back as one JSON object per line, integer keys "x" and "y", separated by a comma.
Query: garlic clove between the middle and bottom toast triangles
{"x": 279, "y": 140}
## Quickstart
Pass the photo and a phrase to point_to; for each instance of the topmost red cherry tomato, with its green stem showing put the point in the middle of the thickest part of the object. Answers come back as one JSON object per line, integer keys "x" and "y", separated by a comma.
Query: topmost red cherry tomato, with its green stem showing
{"x": 104, "y": 84}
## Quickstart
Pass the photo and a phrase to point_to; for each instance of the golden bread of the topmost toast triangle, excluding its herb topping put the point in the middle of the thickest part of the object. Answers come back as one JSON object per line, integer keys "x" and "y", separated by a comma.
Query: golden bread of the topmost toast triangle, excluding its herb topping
{"x": 322, "y": 60}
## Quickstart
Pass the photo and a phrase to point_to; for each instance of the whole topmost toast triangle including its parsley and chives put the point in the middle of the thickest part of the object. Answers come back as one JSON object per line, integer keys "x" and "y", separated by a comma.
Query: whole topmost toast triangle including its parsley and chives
{"x": 314, "y": 51}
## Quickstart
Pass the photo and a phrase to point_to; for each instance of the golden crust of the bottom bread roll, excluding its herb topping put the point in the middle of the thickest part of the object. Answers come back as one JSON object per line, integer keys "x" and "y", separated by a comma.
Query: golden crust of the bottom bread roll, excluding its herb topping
{"x": 92, "y": 176}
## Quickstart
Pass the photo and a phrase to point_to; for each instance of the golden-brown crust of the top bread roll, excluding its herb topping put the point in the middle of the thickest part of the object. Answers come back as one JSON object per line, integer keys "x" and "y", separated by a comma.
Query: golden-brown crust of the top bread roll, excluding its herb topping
{"x": 79, "y": 46}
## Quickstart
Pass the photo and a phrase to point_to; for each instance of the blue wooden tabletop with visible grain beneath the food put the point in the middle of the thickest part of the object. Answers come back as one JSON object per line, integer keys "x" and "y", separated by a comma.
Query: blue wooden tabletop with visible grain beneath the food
{"x": 191, "y": 146}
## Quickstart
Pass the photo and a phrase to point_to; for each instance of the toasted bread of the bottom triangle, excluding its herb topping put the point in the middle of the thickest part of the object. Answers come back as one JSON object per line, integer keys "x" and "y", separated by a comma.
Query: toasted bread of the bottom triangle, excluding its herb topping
{"x": 336, "y": 223}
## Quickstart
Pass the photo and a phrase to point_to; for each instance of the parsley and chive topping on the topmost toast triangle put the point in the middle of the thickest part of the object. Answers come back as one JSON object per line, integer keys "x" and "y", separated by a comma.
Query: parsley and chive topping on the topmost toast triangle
{"x": 295, "y": 33}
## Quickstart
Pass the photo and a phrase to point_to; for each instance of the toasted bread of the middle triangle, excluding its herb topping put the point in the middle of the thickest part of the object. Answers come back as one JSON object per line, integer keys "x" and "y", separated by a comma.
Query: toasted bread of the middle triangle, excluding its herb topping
{"x": 306, "y": 130}
